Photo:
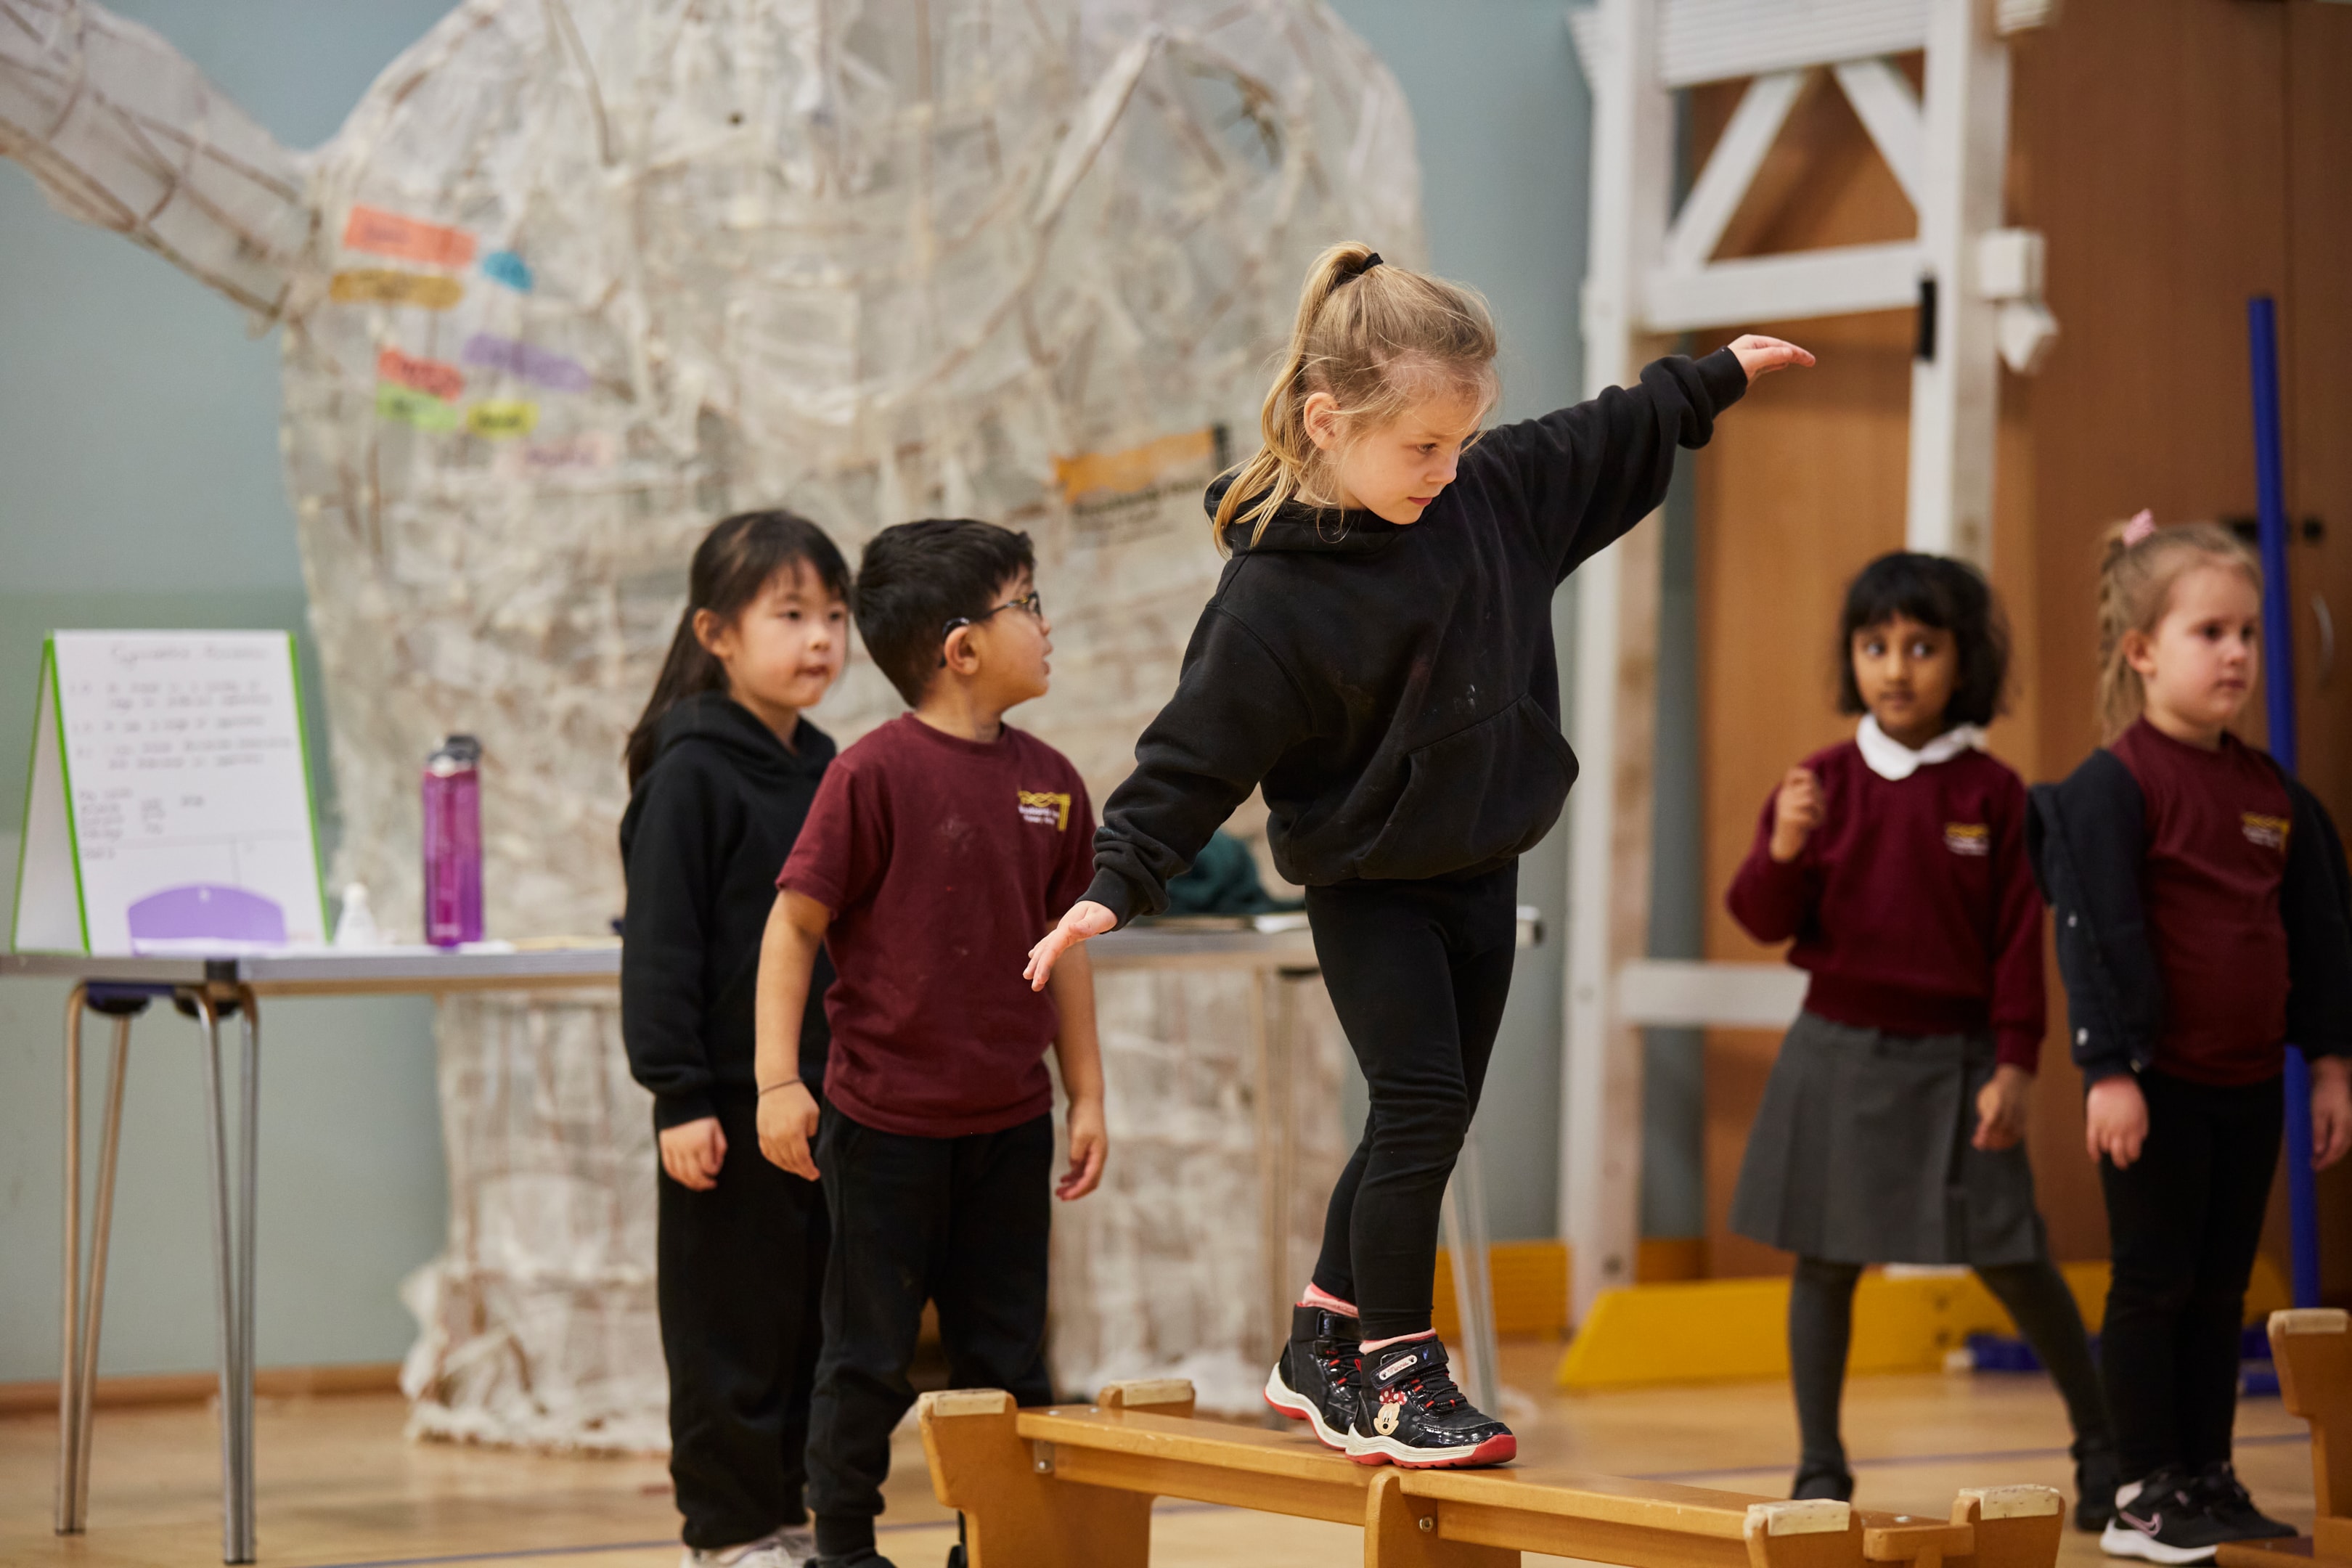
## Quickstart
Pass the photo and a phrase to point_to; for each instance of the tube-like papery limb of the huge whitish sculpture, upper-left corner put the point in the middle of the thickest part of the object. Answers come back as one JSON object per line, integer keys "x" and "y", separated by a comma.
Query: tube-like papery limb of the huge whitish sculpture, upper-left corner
{"x": 126, "y": 133}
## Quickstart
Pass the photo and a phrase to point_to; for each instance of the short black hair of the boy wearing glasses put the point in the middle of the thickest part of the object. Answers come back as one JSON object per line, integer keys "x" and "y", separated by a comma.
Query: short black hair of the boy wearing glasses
{"x": 918, "y": 577}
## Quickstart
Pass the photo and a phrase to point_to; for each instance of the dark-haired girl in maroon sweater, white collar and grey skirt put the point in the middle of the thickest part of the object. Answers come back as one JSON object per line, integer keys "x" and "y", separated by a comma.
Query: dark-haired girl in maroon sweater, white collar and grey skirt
{"x": 1892, "y": 1127}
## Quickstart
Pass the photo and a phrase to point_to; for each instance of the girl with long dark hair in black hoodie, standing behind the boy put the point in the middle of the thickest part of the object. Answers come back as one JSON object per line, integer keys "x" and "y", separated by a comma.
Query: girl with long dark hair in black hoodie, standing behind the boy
{"x": 721, "y": 775}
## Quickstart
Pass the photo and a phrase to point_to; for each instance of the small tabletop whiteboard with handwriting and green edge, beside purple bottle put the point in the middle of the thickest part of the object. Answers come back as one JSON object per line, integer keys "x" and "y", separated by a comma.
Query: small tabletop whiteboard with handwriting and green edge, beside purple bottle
{"x": 171, "y": 798}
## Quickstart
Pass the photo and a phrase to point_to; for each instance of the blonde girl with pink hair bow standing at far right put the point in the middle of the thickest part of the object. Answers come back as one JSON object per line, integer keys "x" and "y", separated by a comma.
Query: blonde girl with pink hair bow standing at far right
{"x": 2205, "y": 920}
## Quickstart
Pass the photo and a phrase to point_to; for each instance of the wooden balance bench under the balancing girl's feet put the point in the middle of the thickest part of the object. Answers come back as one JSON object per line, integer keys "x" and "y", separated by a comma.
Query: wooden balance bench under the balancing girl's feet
{"x": 1071, "y": 1487}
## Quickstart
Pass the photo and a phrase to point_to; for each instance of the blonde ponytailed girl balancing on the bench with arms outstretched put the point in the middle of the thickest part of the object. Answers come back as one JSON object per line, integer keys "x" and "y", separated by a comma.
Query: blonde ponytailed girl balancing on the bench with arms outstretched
{"x": 1379, "y": 662}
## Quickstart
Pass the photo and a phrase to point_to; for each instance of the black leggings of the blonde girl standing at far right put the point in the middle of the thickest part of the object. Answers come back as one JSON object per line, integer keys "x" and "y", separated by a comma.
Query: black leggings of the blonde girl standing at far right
{"x": 2184, "y": 1226}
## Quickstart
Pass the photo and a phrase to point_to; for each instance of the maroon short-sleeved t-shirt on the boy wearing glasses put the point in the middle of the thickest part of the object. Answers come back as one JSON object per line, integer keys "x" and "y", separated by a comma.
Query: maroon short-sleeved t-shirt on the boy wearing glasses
{"x": 942, "y": 862}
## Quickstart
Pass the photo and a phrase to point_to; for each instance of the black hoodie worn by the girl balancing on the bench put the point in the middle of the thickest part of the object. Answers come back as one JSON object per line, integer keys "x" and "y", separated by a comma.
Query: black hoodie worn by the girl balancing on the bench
{"x": 1394, "y": 685}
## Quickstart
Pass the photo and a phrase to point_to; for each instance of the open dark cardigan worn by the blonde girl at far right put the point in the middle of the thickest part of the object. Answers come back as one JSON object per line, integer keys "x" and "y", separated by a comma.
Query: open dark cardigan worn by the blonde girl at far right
{"x": 2087, "y": 843}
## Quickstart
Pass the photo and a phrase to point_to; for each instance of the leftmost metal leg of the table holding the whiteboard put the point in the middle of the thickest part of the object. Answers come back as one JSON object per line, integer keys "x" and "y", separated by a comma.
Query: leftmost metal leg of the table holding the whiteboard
{"x": 86, "y": 1311}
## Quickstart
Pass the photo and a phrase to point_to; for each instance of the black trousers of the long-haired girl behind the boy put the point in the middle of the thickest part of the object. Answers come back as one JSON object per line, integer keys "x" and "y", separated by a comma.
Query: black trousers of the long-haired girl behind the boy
{"x": 742, "y": 1268}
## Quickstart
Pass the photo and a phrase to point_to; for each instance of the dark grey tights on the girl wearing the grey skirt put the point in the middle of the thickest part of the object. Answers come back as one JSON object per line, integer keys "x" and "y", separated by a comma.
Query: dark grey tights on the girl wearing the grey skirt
{"x": 1822, "y": 1329}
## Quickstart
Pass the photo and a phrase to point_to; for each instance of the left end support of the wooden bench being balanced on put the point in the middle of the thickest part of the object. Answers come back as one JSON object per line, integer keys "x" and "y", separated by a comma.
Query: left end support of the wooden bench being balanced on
{"x": 1017, "y": 1513}
